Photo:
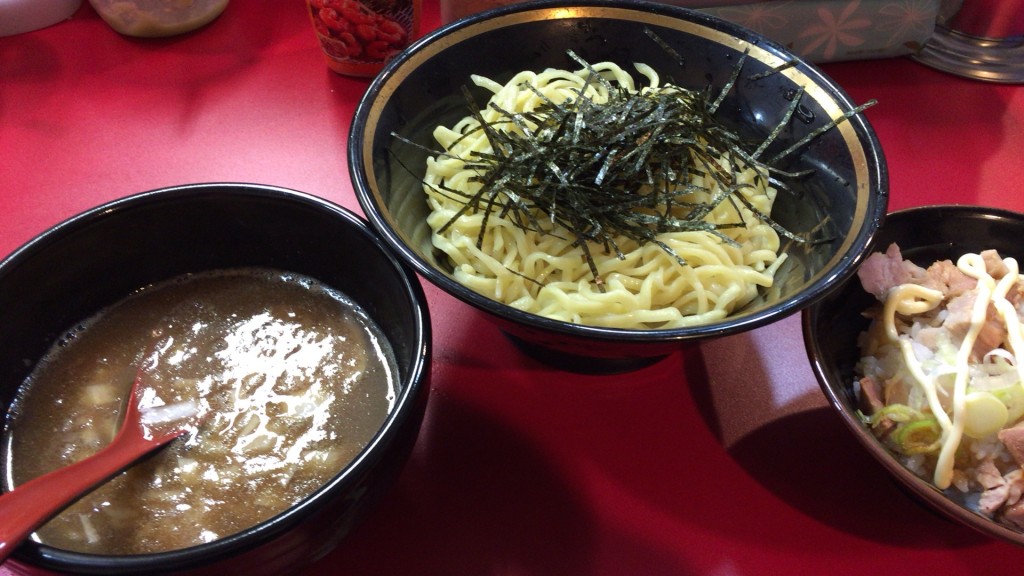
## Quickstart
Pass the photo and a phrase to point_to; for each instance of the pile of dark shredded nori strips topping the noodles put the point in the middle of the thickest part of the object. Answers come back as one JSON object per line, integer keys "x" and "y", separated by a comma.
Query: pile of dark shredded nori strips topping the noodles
{"x": 621, "y": 169}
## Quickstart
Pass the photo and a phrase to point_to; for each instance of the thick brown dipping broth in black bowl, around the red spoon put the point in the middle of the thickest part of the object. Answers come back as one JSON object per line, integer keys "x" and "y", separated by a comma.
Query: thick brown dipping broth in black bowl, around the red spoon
{"x": 291, "y": 381}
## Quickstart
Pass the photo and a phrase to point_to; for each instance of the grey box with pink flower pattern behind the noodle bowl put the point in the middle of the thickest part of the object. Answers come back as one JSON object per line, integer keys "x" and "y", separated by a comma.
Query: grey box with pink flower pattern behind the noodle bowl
{"x": 833, "y": 30}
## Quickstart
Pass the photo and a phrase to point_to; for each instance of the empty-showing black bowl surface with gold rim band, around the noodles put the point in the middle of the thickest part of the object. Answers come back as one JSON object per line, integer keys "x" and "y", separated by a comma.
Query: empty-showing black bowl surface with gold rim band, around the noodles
{"x": 843, "y": 202}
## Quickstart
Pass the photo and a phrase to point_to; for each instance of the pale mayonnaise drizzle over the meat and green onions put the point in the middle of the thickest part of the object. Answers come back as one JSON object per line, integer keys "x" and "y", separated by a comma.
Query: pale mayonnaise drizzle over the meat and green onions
{"x": 913, "y": 299}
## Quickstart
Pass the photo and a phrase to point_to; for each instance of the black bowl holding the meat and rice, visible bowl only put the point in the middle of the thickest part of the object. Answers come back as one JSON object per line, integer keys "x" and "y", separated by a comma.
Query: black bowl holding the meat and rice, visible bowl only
{"x": 831, "y": 328}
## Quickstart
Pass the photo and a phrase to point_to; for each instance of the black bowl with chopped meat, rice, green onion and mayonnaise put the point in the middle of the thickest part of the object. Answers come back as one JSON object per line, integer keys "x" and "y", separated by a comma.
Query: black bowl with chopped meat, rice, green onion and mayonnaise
{"x": 895, "y": 354}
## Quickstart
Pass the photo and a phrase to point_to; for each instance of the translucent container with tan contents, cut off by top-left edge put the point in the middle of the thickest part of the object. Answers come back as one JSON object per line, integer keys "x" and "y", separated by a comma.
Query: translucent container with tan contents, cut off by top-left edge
{"x": 153, "y": 19}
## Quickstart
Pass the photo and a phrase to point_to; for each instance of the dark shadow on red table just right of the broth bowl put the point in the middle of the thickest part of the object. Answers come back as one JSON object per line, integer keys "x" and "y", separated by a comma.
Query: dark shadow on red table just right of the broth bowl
{"x": 476, "y": 499}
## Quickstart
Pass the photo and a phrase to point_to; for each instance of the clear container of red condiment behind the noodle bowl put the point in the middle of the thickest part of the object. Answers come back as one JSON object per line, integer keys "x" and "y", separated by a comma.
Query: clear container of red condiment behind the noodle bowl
{"x": 359, "y": 37}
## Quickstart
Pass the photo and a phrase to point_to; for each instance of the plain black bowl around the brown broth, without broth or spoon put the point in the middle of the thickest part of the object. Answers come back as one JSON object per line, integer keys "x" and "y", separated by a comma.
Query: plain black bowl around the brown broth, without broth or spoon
{"x": 91, "y": 262}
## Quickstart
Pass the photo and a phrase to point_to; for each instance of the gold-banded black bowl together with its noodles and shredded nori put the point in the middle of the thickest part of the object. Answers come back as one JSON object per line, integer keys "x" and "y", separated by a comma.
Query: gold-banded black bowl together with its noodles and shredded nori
{"x": 610, "y": 182}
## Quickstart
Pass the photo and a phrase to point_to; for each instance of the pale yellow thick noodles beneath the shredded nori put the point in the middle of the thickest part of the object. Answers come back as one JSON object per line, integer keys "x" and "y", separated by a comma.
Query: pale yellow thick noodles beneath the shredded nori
{"x": 544, "y": 272}
